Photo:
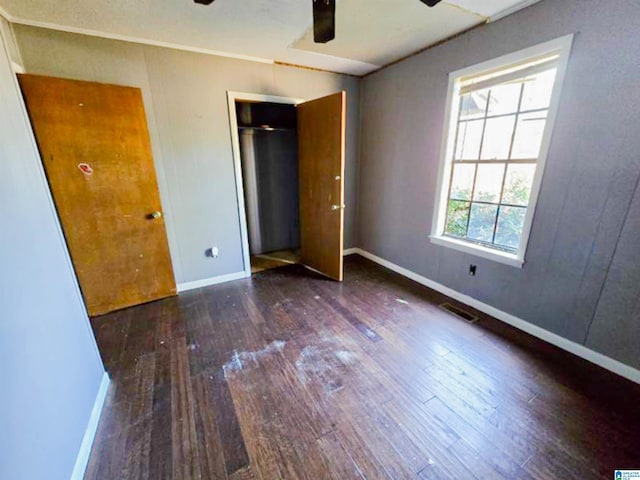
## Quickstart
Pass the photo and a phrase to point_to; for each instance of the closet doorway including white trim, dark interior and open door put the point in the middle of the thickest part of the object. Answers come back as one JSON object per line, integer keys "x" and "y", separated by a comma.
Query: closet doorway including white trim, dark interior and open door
{"x": 289, "y": 159}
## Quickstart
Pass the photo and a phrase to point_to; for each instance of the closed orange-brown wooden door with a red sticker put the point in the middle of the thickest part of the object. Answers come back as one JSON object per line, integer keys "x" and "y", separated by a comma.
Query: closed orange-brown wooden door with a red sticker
{"x": 95, "y": 147}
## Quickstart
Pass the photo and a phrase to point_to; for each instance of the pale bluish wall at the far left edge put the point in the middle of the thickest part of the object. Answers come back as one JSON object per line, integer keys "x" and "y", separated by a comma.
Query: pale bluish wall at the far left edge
{"x": 50, "y": 369}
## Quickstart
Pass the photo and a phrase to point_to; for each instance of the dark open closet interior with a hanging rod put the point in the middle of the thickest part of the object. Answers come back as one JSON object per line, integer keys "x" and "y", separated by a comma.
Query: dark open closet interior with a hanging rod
{"x": 268, "y": 140}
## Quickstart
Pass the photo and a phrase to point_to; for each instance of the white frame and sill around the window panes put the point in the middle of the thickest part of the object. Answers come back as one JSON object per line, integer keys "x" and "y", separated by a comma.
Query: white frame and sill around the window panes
{"x": 560, "y": 46}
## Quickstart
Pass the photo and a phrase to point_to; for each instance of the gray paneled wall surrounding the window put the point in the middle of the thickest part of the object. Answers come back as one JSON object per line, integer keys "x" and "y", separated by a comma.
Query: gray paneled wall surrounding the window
{"x": 591, "y": 174}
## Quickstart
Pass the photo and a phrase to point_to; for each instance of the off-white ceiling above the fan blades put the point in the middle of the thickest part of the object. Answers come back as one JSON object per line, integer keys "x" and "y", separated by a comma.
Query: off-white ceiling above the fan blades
{"x": 369, "y": 33}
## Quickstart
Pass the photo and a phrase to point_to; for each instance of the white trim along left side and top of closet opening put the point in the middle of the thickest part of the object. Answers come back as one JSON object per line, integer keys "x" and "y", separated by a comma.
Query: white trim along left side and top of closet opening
{"x": 237, "y": 162}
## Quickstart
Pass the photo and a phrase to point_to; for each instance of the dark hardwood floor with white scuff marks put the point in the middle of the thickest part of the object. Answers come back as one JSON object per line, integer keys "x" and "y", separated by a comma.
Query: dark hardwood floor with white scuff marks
{"x": 288, "y": 375}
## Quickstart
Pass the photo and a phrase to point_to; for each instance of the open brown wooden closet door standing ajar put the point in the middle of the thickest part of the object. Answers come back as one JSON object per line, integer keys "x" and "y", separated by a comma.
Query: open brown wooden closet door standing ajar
{"x": 321, "y": 143}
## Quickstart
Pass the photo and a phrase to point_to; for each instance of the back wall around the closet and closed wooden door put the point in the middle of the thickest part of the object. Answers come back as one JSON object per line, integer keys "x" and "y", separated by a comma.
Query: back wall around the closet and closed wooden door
{"x": 186, "y": 102}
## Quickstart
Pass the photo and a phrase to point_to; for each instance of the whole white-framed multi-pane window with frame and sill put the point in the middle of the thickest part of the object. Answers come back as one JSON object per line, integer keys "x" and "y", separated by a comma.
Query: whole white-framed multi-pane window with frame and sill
{"x": 501, "y": 114}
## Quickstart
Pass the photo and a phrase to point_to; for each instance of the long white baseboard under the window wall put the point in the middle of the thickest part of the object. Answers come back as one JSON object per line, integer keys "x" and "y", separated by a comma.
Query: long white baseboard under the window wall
{"x": 599, "y": 359}
